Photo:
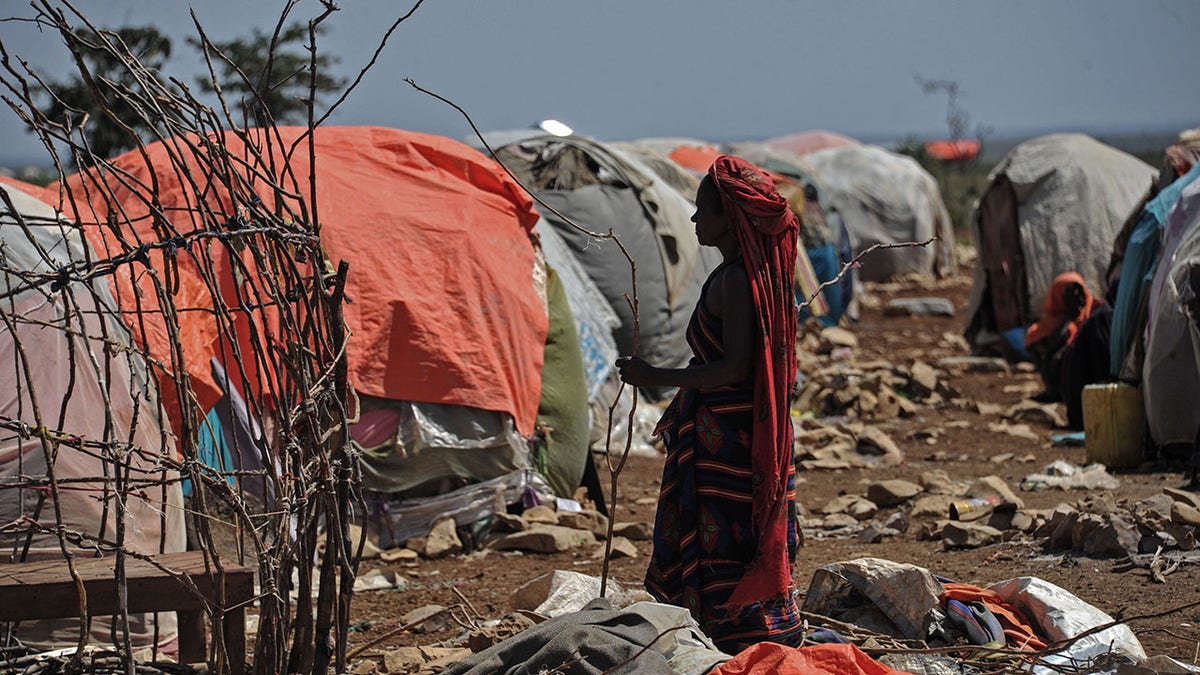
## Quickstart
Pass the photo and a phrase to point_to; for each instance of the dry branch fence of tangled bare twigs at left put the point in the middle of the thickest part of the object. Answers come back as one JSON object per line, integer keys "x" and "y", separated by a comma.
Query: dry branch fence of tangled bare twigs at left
{"x": 128, "y": 316}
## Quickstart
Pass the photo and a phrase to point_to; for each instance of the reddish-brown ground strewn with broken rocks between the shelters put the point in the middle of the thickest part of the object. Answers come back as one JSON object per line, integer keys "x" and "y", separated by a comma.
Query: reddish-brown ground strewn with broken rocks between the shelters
{"x": 899, "y": 426}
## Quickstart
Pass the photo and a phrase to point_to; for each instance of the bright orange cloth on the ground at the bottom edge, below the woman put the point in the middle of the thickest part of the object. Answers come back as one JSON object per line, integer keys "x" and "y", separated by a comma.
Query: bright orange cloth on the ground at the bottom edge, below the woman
{"x": 771, "y": 659}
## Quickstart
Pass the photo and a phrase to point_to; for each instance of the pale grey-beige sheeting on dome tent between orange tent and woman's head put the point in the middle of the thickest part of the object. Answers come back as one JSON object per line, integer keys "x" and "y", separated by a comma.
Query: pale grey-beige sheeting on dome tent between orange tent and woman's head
{"x": 602, "y": 189}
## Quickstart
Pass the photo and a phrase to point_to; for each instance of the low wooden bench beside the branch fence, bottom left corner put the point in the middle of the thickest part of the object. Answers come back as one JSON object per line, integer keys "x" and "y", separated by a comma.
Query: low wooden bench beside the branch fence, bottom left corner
{"x": 45, "y": 590}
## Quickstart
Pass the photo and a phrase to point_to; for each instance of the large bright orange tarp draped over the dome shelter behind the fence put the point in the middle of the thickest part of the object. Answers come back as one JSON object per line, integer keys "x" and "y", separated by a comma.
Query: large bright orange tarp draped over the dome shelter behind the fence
{"x": 441, "y": 307}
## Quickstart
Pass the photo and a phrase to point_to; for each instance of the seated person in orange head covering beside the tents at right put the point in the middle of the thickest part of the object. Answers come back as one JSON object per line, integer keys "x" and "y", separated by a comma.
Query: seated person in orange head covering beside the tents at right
{"x": 1070, "y": 344}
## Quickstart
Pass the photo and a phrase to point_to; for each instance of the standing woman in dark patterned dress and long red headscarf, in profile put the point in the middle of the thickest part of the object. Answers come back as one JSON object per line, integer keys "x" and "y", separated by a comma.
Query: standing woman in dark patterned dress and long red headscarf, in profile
{"x": 725, "y": 533}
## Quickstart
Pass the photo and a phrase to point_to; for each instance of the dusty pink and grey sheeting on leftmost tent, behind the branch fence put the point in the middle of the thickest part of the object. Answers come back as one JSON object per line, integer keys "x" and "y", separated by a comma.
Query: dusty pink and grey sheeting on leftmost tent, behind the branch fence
{"x": 68, "y": 354}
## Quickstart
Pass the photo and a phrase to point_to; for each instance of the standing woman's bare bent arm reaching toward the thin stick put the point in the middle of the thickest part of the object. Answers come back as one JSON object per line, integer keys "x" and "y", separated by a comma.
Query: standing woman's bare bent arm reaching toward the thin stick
{"x": 735, "y": 306}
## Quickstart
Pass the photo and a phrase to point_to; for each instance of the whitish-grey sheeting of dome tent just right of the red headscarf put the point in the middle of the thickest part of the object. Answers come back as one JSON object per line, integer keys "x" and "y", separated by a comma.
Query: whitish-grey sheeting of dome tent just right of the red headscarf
{"x": 889, "y": 199}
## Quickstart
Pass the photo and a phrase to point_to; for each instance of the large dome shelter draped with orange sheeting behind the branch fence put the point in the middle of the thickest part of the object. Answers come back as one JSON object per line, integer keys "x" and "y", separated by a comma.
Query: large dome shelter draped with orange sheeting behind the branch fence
{"x": 447, "y": 306}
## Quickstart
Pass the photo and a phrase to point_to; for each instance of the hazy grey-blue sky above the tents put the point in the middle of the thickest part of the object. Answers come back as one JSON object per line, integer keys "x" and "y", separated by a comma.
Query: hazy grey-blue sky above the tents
{"x": 721, "y": 70}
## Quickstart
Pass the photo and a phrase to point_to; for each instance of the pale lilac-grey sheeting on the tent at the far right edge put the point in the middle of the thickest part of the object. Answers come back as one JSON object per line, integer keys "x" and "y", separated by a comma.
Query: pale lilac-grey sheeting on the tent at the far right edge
{"x": 1171, "y": 378}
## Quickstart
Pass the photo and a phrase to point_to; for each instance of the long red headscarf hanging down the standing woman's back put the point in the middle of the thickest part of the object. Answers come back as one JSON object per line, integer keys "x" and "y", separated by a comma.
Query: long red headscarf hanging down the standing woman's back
{"x": 767, "y": 231}
